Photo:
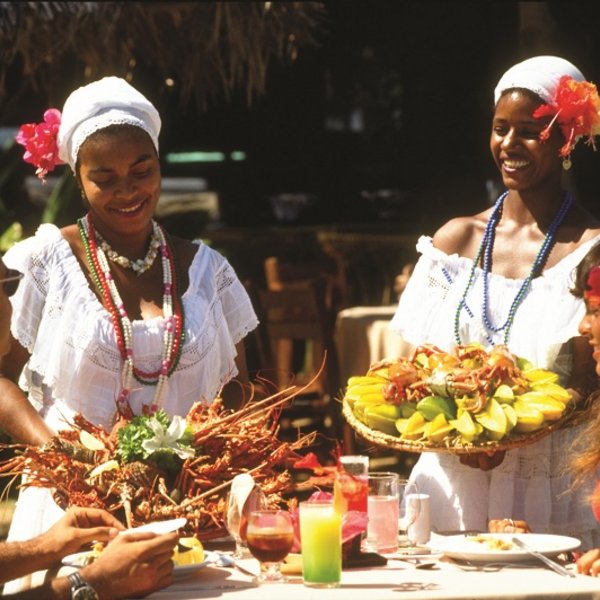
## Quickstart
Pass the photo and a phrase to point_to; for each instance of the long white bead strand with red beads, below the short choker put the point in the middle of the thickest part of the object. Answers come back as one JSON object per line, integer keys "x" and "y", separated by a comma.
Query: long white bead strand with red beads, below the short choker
{"x": 127, "y": 372}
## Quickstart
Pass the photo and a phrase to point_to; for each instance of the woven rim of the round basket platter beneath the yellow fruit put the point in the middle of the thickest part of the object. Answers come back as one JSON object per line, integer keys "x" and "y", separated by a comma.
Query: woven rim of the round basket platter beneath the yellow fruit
{"x": 451, "y": 446}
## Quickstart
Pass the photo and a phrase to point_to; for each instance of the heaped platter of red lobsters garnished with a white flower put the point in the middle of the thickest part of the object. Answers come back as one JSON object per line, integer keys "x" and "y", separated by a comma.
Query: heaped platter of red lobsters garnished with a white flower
{"x": 155, "y": 467}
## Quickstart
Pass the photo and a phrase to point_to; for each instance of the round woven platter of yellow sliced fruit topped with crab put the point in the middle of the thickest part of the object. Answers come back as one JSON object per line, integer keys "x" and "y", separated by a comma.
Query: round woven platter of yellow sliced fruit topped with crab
{"x": 469, "y": 400}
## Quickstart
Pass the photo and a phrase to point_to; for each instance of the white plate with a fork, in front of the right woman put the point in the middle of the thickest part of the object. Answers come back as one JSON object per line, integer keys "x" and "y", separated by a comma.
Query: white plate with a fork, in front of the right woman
{"x": 465, "y": 548}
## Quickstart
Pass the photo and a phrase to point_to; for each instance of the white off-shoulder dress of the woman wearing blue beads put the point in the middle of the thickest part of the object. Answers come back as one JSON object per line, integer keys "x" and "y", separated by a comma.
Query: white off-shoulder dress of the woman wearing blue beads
{"x": 531, "y": 482}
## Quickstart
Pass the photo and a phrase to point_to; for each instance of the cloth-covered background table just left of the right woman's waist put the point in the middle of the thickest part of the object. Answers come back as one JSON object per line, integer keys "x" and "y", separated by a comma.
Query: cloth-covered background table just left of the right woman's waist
{"x": 363, "y": 336}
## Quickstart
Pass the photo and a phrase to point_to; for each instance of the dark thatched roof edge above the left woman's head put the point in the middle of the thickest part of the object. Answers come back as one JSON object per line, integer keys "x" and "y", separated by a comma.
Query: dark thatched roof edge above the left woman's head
{"x": 203, "y": 50}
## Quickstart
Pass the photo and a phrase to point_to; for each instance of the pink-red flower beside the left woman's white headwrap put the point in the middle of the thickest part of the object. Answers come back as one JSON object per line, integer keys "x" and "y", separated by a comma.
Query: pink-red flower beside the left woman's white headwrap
{"x": 39, "y": 139}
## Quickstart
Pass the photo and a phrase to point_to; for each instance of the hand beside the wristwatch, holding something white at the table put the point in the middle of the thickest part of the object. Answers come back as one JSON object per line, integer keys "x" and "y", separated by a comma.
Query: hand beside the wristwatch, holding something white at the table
{"x": 132, "y": 565}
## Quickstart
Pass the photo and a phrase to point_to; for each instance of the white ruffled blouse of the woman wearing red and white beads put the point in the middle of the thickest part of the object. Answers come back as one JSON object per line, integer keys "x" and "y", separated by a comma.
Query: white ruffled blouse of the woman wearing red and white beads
{"x": 75, "y": 364}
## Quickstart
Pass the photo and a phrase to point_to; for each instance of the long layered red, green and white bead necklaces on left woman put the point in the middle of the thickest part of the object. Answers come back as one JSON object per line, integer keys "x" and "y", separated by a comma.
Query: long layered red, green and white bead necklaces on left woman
{"x": 173, "y": 331}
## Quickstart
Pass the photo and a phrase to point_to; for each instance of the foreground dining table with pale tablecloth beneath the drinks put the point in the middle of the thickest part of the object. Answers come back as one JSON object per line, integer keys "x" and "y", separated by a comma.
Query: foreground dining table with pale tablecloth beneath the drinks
{"x": 398, "y": 580}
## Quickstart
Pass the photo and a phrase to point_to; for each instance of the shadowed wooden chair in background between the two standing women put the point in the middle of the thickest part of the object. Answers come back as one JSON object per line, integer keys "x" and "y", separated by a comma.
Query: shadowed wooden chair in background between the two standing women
{"x": 300, "y": 334}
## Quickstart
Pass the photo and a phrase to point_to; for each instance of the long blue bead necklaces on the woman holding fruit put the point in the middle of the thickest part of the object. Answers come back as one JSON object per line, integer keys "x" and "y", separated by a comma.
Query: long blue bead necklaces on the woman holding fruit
{"x": 485, "y": 253}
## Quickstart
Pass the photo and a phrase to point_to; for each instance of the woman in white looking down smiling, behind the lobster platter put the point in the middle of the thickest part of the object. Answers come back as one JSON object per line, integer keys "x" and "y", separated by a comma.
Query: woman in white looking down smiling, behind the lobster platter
{"x": 112, "y": 312}
